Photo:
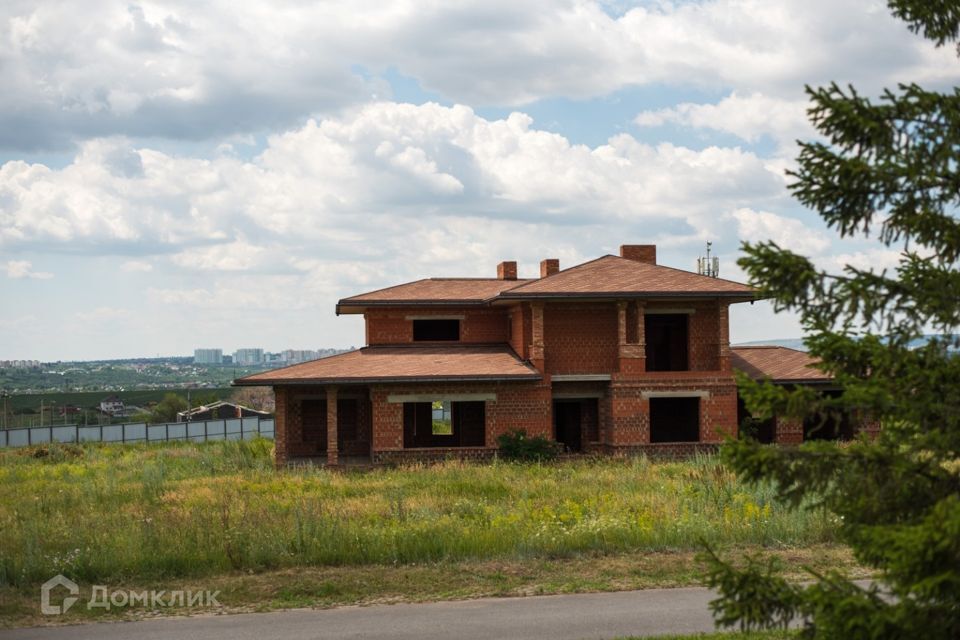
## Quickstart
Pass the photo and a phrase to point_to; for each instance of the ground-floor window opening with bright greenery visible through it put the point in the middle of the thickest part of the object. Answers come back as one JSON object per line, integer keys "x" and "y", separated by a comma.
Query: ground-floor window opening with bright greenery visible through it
{"x": 444, "y": 424}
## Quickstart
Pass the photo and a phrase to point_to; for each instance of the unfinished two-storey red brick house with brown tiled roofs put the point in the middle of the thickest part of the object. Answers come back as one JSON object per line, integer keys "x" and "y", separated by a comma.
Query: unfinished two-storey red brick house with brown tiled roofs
{"x": 616, "y": 355}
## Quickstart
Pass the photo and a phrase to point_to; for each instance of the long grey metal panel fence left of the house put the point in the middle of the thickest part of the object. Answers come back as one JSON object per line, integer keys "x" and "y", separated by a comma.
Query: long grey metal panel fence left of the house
{"x": 199, "y": 431}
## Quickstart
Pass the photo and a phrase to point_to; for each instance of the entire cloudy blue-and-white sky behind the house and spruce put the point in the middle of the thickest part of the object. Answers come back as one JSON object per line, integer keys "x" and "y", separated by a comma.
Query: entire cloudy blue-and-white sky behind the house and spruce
{"x": 178, "y": 174}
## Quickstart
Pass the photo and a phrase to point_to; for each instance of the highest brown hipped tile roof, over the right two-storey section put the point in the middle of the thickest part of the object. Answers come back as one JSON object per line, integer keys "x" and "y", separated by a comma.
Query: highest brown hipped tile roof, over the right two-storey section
{"x": 612, "y": 275}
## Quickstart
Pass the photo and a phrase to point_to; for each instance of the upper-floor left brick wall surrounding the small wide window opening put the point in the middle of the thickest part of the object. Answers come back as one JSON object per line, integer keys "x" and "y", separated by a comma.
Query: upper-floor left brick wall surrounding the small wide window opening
{"x": 391, "y": 326}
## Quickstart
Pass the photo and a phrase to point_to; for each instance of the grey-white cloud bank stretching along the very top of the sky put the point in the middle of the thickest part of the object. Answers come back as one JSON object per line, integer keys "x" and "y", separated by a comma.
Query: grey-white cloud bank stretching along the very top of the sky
{"x": 204, "y": 70}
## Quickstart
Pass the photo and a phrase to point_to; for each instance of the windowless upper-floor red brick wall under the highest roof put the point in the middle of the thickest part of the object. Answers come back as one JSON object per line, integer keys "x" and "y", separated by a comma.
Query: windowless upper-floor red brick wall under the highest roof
{"x": 580, "y": 337}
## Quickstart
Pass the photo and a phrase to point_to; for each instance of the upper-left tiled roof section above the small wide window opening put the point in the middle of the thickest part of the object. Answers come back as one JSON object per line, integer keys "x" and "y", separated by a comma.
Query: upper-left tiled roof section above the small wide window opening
{"x": 430, "y": 291}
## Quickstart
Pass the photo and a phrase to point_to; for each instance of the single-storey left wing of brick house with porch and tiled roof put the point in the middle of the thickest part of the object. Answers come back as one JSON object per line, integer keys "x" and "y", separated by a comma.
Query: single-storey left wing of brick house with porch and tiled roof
{"x": 386, "y": 404}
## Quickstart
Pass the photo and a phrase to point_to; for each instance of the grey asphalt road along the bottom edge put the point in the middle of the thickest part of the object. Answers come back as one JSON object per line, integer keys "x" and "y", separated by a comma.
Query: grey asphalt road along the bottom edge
{"x": 565, "y": 617}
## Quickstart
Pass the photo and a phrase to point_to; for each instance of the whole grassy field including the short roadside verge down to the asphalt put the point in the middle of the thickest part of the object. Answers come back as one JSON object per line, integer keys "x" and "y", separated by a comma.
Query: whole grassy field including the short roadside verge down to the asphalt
{"x": 218, "y": 516}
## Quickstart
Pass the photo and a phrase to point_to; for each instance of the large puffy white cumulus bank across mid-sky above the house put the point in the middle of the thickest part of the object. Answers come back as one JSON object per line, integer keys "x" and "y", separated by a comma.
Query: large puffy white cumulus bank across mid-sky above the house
{"x": 364, "y": 185}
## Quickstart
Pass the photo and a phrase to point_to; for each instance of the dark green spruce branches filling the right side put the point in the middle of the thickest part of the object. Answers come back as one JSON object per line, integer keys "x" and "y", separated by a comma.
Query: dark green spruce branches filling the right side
{"x": 888, "y": 170}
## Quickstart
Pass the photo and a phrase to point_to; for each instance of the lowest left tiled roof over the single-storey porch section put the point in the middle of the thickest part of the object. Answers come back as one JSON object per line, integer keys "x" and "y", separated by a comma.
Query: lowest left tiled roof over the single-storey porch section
{"x": 403, "y": 363}
